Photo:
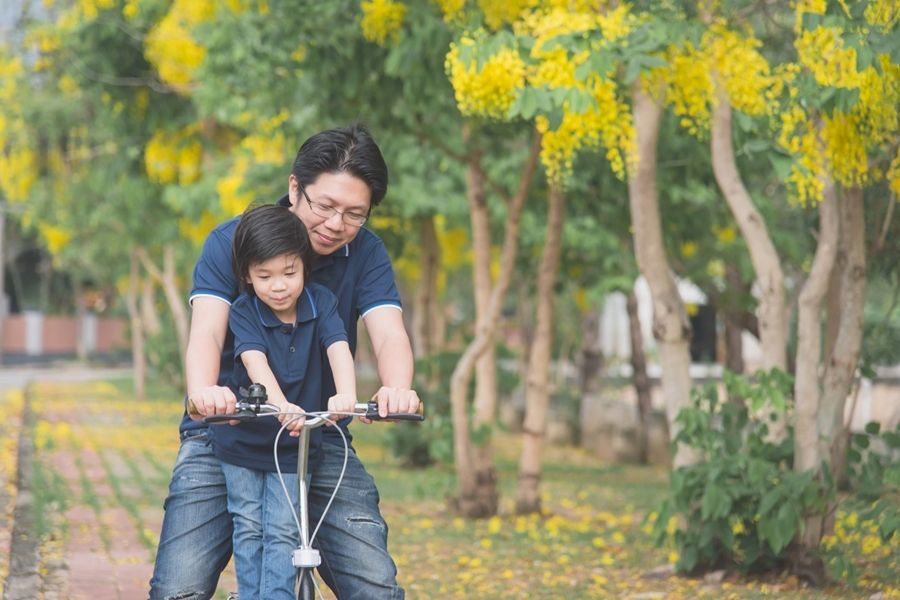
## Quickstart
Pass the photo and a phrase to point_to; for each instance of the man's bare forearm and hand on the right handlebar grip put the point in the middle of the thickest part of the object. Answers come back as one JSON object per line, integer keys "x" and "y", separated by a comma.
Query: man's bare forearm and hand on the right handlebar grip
{"x": 394, "y": 358}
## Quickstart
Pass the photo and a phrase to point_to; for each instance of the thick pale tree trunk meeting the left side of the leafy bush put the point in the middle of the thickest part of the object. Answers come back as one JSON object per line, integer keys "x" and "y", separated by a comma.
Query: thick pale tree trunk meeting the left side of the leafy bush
{"x": 670, "y": 323}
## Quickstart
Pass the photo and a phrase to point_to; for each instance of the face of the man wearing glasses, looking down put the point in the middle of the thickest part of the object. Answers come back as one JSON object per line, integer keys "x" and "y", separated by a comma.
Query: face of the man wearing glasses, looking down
{"x": 346, "y": 197}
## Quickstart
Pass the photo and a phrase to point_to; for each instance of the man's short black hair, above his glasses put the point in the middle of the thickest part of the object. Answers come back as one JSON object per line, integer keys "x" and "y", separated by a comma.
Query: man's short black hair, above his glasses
{"x": 349, "y": 150}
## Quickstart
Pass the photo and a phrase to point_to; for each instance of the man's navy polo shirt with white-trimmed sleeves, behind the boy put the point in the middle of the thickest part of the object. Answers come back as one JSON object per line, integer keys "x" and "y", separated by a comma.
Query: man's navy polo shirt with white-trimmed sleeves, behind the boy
{"x": 359, "y": 275}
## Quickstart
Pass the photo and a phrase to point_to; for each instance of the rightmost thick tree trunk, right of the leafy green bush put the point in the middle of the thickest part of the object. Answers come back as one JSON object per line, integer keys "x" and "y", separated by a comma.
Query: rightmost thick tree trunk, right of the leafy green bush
{"x": 841, "y": 364}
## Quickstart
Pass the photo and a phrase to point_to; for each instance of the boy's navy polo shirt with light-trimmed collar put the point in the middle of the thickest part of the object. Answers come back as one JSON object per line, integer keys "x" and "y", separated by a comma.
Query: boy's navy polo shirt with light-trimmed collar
{"x": 295, "y": 354}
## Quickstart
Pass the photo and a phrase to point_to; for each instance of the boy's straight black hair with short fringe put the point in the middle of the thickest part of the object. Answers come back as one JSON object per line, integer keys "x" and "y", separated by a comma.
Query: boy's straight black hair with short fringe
{"x": 265, "y": 232}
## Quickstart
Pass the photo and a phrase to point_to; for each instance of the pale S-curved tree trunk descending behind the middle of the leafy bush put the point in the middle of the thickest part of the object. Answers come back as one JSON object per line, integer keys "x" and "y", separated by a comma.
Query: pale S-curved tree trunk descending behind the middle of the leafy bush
{"x": 773, "y": 310}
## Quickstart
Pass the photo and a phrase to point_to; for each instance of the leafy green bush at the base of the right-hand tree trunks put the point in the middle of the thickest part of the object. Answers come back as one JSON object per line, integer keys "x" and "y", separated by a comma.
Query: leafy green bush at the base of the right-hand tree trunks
{"x": 741, "y": 504}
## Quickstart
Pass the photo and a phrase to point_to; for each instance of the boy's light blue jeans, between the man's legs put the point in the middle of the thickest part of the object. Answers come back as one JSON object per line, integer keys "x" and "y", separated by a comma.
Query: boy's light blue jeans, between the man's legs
{"x": 264, "y": 531}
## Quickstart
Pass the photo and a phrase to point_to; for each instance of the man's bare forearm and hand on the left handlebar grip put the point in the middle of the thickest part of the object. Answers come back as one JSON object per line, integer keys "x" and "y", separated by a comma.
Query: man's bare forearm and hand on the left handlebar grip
{"x": 209, "y": 325}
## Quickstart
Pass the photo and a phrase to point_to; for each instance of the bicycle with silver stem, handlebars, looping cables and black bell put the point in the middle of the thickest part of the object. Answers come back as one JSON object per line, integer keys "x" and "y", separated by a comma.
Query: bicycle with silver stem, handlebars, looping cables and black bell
{"x": 252, "y": 405}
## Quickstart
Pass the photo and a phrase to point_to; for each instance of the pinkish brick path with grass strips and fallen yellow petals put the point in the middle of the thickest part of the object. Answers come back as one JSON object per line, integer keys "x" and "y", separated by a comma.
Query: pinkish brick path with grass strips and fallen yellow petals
{"x": 102, "y": 466}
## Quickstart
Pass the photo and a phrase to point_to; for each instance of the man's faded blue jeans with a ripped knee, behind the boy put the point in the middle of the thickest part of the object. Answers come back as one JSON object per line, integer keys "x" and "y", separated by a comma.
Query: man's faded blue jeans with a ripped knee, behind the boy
{"x": 195, "y": 542}
